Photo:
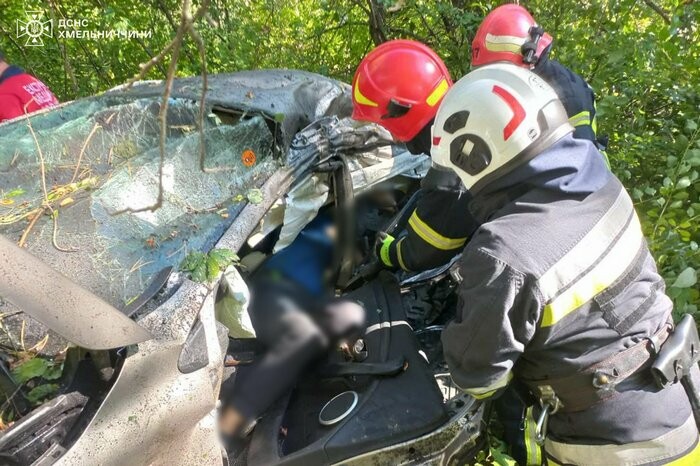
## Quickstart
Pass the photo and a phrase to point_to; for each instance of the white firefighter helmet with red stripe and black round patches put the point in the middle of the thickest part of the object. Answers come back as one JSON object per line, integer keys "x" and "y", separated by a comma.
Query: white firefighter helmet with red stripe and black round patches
{"x": 493, "y": 120}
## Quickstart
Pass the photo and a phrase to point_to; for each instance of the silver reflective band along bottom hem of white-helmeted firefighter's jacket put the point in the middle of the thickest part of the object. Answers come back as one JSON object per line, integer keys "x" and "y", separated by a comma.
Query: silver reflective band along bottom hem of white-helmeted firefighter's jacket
{"x": 668, "y": 446}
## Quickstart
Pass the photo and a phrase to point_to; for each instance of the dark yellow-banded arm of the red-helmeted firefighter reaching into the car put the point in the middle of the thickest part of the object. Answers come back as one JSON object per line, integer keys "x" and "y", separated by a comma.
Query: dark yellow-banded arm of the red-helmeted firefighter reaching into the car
{"x": 437, "y": 230}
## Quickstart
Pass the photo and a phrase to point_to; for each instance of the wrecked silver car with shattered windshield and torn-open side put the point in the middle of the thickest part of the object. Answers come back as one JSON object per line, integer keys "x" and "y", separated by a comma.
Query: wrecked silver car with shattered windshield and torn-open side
{"x": 130, "y": 269}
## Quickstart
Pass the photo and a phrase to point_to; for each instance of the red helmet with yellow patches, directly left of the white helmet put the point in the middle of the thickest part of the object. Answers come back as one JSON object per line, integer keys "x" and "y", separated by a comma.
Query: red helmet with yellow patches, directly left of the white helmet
{"x": 399, "y": 85}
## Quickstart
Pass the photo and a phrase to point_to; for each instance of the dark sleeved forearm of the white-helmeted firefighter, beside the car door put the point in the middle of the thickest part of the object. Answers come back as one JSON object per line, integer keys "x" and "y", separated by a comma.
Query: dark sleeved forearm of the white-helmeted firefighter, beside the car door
{"x": 496, "y": 319}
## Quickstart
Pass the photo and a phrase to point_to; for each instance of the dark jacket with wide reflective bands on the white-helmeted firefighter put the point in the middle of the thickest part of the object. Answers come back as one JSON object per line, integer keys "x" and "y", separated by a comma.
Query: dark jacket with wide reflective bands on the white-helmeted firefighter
{"x": 558, "y": 278}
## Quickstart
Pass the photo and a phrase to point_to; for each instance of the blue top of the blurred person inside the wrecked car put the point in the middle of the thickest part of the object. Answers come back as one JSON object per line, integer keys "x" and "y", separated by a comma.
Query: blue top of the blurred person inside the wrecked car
{"x": 306, "y": 259}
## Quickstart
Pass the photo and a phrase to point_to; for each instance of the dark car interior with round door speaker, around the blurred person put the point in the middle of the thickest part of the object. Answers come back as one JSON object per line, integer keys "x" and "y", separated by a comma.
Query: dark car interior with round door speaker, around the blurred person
{"x": 379, "y": 389}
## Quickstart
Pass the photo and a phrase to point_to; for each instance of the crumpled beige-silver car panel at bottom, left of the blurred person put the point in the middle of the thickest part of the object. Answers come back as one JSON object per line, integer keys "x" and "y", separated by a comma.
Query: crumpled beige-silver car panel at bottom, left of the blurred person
{"x": 155, "y": 413}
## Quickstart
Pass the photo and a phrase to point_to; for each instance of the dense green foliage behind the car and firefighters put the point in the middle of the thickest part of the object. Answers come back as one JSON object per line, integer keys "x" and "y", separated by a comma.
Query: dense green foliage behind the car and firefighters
{"x": 642, "y": 58}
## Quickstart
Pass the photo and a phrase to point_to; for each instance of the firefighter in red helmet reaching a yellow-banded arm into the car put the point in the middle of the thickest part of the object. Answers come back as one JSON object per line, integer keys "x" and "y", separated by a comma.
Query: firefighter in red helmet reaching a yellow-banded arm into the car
{"x": 400, "y": 85}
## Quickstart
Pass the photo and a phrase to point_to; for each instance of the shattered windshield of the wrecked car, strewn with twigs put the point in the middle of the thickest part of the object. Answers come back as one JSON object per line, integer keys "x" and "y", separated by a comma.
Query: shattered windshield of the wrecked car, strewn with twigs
{"x": 72, "y": 179}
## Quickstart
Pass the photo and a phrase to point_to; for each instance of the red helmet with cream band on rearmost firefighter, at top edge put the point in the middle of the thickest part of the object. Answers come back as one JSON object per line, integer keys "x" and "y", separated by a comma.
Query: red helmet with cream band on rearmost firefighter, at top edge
{"x": 509, "y": 33}
